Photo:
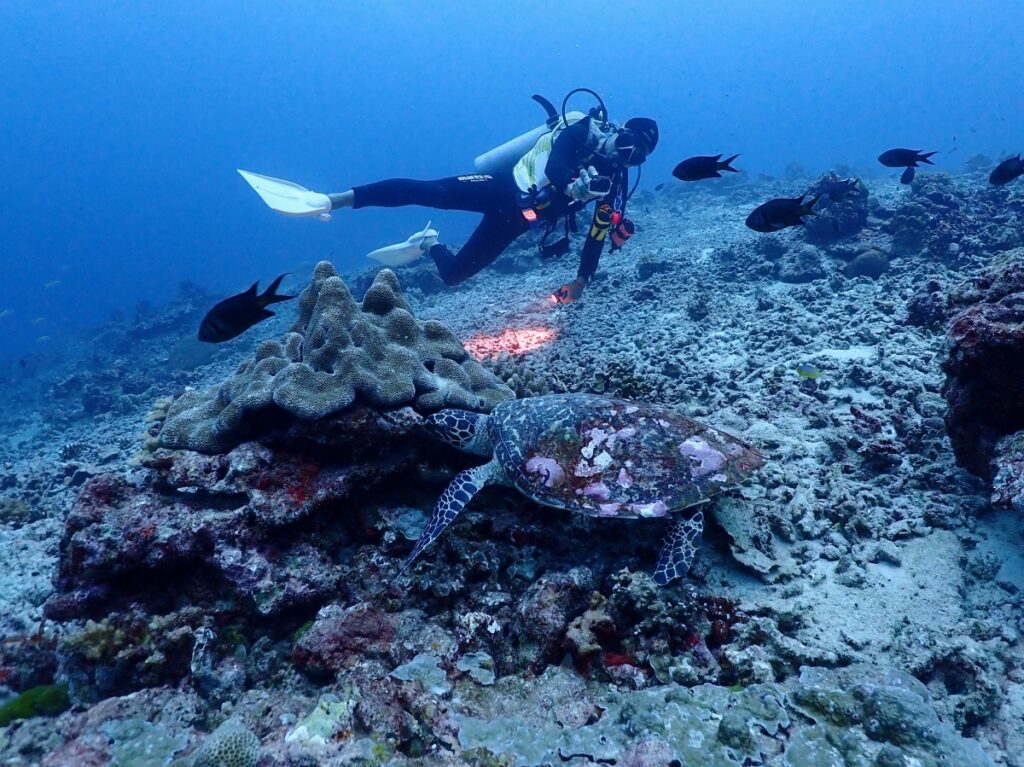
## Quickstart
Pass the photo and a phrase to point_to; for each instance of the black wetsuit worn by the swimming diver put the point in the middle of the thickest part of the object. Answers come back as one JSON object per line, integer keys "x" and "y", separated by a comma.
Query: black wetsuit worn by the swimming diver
{"x": 497, "y": 197}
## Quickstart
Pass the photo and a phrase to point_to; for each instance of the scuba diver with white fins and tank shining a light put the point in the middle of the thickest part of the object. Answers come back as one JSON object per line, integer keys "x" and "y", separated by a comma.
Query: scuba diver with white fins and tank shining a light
{"x": 539, "y": 180}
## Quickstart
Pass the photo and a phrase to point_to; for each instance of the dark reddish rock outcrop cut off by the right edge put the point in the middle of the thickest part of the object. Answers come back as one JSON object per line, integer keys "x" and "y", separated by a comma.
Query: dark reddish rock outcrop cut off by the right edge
{"x": 985, "y": 391}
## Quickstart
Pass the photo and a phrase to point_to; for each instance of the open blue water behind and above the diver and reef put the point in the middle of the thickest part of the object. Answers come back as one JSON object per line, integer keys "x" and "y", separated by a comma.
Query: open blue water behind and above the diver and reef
{"x": 122, "y": 123}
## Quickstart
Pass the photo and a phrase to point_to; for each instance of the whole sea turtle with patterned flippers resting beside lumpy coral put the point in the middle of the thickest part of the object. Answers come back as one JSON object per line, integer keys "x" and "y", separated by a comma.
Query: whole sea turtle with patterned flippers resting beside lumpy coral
{"x": 596, "y": 456}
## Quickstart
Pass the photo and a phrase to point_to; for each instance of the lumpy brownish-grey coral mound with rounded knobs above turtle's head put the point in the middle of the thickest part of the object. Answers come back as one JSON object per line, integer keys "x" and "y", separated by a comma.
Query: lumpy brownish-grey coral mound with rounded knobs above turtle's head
{"x": 337, "y": 354}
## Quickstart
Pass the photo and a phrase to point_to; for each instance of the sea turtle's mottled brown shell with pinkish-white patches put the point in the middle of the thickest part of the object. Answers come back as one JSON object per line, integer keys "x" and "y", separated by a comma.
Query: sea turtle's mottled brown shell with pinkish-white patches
{"x": 607, "y": 457}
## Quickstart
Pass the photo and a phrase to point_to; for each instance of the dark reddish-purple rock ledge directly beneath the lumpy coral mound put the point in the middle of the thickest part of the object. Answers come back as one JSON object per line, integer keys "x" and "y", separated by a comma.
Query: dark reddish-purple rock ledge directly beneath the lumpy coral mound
{"x": 241, "y": 525}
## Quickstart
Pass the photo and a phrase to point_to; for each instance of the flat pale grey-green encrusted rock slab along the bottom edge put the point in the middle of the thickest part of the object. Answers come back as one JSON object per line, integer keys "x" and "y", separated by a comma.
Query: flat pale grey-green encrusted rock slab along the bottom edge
{"x": 858, "y": 715}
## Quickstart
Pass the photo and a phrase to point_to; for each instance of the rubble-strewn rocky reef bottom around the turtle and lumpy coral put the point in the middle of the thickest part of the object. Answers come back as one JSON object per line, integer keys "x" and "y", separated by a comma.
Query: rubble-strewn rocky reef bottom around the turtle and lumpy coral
{"x": 858, "y": 605}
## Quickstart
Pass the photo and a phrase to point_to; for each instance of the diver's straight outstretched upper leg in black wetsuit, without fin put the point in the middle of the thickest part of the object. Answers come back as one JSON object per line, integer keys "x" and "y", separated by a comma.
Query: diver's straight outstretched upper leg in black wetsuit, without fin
{"x": 476, "y": 193}
